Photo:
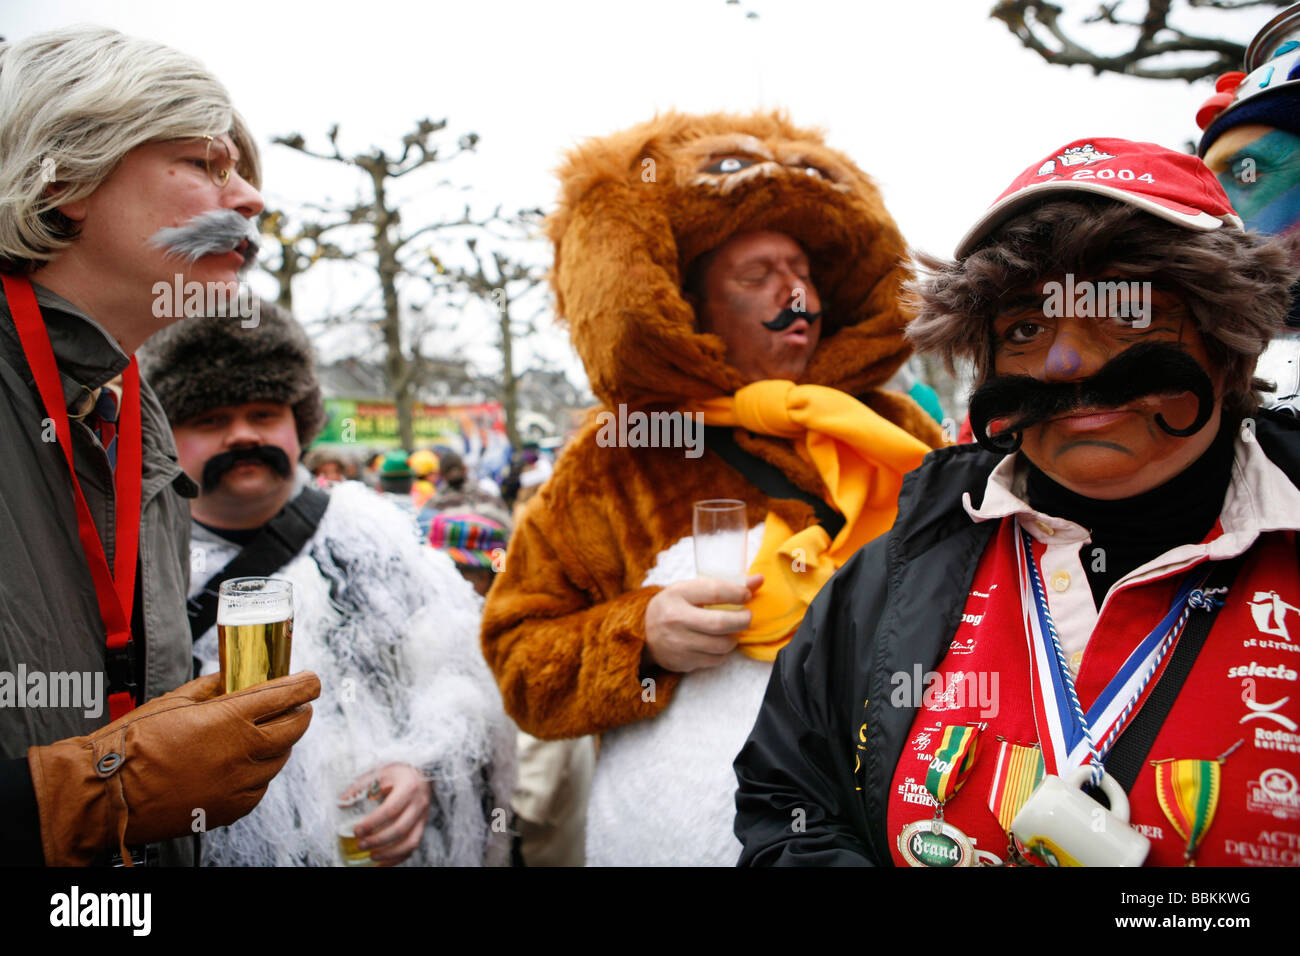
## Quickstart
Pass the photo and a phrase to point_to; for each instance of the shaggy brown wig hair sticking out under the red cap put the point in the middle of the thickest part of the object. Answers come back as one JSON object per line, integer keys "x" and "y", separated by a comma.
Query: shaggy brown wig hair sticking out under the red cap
{"x": 1236, "y": 285}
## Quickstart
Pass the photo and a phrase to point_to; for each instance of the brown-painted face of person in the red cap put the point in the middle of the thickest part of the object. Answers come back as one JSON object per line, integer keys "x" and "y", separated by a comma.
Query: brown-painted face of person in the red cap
{"x": 1104, "y": 431}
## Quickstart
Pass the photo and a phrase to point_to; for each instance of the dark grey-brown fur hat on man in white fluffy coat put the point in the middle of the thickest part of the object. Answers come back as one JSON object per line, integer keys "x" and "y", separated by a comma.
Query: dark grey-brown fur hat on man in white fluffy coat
{"x": 197, "y": 365}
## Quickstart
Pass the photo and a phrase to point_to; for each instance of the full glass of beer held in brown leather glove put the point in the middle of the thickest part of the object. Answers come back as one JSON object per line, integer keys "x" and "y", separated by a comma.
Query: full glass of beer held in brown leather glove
{"x": 255, "y": 630}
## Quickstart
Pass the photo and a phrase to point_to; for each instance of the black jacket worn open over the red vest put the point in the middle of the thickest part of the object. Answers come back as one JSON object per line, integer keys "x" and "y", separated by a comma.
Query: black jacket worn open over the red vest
{"x": 895, "y": 604}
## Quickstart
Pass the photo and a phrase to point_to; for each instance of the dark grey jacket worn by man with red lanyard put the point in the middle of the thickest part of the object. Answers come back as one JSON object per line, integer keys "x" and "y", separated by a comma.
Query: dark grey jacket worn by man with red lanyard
{"x": 50, "y": 618}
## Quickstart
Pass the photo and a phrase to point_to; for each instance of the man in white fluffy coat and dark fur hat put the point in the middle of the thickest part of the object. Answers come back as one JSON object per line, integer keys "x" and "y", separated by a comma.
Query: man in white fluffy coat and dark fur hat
{"x": 409, "y": 712}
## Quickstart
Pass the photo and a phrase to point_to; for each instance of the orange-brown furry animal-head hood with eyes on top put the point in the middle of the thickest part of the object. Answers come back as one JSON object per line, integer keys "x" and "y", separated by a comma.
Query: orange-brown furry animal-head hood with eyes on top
{"x": 639, "y": 207}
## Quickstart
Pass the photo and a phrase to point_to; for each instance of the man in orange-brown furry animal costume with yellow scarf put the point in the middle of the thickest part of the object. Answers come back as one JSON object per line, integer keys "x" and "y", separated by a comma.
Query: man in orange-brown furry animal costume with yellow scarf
{"x": 735, "y": 279}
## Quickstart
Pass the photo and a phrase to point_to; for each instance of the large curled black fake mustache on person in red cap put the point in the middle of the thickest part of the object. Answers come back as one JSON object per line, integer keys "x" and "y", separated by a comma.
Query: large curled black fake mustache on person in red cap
{"x": 1151, "y": 369}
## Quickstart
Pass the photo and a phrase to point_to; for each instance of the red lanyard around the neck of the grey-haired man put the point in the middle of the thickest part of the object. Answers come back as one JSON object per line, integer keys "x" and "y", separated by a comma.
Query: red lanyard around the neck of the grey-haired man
{"x": 115, "y": 590}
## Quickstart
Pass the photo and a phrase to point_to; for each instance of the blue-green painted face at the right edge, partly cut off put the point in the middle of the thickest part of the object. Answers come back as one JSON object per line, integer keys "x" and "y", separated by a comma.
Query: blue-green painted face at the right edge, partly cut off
{"x": 1259, "y": 168}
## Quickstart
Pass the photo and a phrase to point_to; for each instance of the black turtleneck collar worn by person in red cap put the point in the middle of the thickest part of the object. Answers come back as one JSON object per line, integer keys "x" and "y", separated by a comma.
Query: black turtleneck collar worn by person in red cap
{"x": 1133, "y": 531}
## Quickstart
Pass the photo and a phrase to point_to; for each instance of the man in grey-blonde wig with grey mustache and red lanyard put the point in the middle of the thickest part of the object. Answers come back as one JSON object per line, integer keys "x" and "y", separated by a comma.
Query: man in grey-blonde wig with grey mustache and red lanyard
{"x": 124, "y": 170}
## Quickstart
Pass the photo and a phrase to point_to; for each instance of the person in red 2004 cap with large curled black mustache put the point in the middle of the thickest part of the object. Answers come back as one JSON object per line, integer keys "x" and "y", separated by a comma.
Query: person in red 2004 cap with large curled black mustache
{"x": 1102, "y": 595}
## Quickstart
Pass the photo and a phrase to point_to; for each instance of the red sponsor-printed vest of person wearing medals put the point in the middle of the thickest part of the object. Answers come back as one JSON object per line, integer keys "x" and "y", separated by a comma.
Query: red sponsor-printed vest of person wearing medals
{"x": 1245, "y": 686}
